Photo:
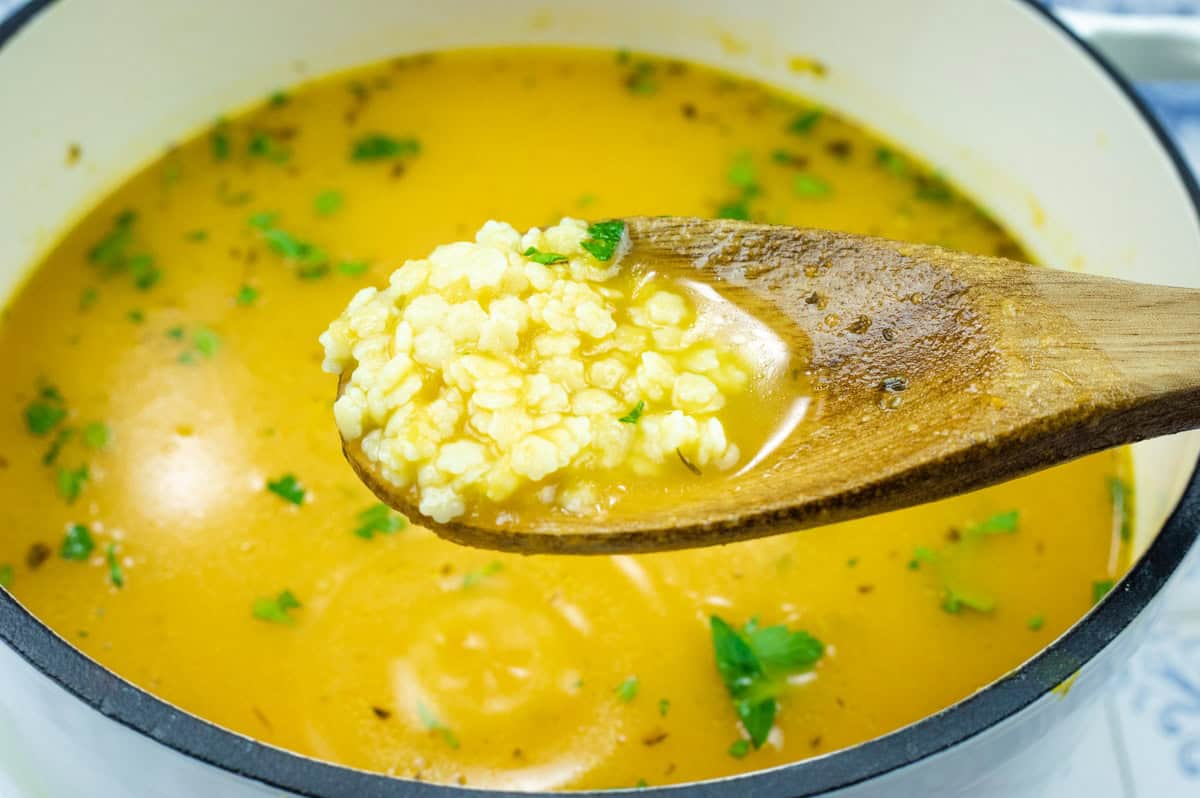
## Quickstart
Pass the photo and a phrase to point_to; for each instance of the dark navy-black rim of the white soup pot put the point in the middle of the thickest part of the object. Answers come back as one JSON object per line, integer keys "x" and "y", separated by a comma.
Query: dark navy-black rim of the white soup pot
{"x": 202, "y": 741}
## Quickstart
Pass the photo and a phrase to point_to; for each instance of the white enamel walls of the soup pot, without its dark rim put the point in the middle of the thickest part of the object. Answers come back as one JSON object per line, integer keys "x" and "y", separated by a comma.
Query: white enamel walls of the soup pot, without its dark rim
{"x": 995, "y": 93}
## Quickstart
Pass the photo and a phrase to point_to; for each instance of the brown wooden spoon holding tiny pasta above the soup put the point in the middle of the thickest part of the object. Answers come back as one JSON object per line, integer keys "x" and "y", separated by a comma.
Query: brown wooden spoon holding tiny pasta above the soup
{"x": 939, "y": 373}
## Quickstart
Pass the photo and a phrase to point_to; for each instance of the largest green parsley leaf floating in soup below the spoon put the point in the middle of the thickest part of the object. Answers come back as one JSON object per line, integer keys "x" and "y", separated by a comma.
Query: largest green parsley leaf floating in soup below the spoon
{"x": 754, "y": 664}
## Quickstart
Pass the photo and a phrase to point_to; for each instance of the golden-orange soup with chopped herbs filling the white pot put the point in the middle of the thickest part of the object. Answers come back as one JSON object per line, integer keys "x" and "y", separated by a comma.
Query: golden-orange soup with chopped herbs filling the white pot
{"x": 177, "y": 505}
